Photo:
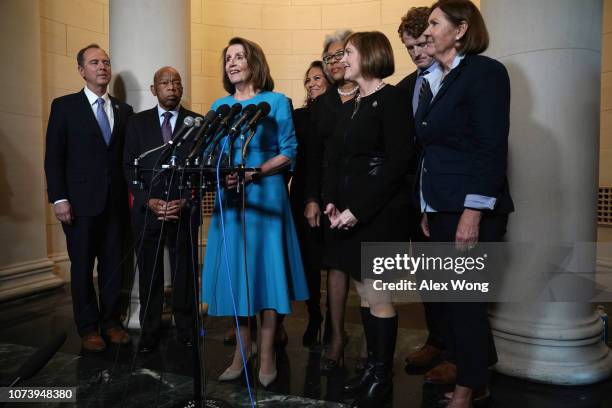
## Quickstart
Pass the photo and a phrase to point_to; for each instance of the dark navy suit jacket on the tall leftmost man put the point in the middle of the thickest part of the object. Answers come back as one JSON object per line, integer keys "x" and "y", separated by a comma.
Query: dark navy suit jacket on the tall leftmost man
{"x": 79, "y": 165}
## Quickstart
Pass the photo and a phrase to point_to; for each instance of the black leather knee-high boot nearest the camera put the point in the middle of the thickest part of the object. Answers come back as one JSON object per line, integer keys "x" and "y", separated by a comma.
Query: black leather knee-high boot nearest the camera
{"x": 379, "y": 391}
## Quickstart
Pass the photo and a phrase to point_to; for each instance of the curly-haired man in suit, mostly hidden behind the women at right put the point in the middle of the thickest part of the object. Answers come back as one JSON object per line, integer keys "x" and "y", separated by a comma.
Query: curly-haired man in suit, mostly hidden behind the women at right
{"x": 411, "y": 31}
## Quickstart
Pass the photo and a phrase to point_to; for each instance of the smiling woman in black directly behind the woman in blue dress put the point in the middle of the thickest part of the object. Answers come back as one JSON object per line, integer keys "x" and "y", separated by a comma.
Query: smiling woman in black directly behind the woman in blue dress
{"x": 311, "y": 239}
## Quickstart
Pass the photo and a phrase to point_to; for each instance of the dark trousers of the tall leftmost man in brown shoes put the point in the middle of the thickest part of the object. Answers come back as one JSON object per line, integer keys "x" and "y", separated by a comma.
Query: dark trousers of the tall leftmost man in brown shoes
{"x": 90, "y": 238}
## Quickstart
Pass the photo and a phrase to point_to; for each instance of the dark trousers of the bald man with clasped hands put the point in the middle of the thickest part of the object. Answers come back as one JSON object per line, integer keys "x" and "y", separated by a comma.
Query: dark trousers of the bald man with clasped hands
{"x": 181, "y": 238}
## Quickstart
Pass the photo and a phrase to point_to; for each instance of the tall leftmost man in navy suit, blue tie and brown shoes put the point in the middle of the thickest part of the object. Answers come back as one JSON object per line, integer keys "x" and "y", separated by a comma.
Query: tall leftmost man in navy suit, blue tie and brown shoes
{"x": 86, "y": 186}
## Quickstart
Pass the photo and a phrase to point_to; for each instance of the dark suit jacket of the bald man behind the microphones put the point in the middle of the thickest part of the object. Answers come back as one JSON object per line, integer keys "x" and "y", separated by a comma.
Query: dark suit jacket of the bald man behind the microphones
{"x": 144, "y": 133}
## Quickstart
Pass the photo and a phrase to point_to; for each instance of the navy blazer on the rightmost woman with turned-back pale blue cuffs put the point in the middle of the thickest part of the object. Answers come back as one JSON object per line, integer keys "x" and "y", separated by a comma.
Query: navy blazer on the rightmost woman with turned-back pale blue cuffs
{"x": 464, "y": 136}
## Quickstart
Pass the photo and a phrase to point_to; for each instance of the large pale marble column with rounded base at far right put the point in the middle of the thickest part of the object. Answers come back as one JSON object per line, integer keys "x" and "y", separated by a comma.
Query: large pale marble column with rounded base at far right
{"x": 552, "y": 50}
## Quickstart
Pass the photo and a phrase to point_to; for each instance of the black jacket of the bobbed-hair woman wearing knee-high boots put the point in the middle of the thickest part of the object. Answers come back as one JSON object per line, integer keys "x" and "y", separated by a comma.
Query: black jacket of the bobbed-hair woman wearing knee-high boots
{"x": 369, "y": 156}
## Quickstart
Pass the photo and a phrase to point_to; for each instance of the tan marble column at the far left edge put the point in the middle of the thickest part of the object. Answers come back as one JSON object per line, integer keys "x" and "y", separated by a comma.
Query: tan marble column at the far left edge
{"x": 24, "y": 266}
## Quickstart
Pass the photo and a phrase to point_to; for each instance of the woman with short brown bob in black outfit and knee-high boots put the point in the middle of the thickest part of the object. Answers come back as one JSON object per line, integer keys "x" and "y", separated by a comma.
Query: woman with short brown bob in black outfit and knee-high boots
{"x": 367, "y": 196}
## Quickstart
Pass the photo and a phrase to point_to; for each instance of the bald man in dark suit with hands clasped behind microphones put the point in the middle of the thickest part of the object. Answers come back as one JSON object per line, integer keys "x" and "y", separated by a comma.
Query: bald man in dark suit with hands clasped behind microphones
{"x": 162, "y": 214}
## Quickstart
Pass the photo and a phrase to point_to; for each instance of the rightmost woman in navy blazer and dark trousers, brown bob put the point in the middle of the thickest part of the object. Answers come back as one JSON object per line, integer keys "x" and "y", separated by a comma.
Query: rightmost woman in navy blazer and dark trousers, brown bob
{"x": 462, "y": 123}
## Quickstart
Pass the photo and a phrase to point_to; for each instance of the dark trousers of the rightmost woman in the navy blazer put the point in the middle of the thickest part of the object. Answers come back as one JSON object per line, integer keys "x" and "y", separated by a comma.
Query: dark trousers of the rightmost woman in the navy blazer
{"x": 465, "y": 329}
